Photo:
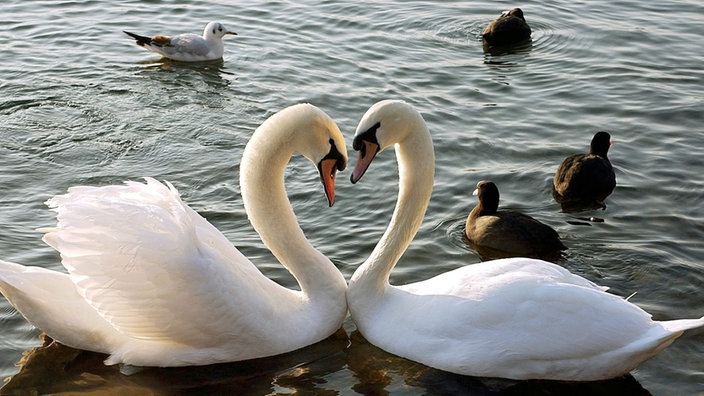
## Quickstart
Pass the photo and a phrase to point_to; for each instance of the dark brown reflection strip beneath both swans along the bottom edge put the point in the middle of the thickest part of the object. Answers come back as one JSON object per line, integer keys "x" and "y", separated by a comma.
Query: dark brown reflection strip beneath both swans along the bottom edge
{"x": 53, "y": 368}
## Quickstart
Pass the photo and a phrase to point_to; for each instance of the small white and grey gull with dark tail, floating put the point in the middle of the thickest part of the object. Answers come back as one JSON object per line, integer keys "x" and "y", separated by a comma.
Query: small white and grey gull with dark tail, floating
{"x": 187, "y": 47}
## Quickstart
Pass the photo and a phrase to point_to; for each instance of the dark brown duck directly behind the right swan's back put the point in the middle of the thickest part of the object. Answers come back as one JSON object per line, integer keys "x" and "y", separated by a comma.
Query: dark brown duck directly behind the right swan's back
{"x": 507, "y": 231}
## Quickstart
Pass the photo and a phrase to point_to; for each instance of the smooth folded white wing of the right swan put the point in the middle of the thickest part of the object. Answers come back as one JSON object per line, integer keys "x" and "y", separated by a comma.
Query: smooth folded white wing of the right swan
{"x": 518, "y": 298}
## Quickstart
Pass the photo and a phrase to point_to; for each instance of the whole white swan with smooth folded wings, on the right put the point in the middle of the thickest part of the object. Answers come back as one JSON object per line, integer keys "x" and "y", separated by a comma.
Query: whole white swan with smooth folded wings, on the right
{"x": 514, "y": 318}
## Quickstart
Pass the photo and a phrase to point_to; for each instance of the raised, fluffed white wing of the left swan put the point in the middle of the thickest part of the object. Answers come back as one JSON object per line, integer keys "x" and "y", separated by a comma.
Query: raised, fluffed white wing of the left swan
{"x": 151, "y": 266}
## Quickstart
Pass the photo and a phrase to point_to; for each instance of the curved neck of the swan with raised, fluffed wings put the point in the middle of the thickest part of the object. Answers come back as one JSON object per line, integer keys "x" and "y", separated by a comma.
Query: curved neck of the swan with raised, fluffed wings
{"x": 262, "y": 172}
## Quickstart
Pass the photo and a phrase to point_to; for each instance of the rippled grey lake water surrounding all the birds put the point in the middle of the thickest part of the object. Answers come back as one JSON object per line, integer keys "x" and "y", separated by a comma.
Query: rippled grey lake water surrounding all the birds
{"x": 81, "y": 104}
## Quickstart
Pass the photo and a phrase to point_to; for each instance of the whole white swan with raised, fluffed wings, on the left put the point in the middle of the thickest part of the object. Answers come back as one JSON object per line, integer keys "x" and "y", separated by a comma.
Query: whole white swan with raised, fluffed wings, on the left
{"x": 152, "y": 283}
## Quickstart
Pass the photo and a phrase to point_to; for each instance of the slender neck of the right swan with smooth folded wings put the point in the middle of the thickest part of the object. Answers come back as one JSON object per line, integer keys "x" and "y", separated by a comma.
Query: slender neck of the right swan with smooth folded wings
{"x": 416, "y": 164}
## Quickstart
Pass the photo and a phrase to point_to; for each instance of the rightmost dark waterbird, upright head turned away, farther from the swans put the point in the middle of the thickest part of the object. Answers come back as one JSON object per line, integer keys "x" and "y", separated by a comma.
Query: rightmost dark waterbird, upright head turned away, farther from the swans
{"x": 583, "y": 181}
